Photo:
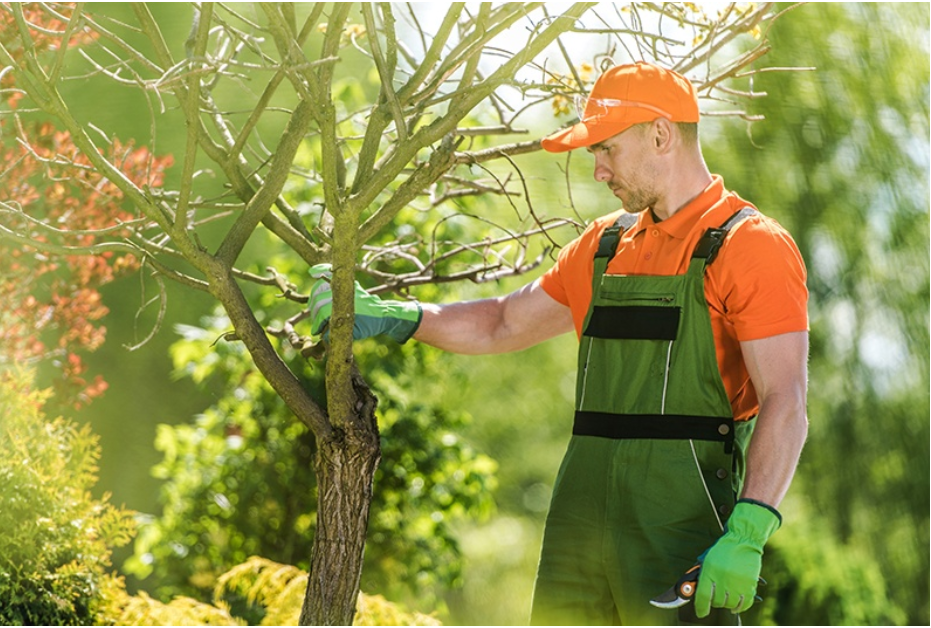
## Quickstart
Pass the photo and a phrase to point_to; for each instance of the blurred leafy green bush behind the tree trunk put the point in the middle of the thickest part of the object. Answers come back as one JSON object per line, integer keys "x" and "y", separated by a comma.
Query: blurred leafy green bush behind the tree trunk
{"x": 239, "y": 482}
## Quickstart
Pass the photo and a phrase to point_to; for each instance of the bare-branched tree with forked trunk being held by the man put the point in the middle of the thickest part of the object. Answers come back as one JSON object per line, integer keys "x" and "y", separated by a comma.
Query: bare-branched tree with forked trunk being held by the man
{"x": 374, "y": 153}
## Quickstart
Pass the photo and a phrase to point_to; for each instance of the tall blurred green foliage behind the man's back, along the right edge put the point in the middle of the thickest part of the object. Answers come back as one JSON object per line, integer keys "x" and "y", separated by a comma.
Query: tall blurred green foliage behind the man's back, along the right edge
{"x": 849, "y": 144}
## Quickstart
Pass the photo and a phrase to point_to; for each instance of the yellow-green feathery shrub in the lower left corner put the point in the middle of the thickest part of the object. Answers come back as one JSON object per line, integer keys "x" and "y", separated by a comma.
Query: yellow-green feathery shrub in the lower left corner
{"x": 56, "y": 541}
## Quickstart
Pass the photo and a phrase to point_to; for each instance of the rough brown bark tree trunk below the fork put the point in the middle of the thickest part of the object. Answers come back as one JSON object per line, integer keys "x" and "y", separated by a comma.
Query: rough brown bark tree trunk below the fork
{"x": 345, "y": 468}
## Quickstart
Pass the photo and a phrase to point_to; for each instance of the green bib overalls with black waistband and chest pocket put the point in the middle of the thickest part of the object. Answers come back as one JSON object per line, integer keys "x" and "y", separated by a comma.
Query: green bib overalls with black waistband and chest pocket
{"x": 655, "y": 461}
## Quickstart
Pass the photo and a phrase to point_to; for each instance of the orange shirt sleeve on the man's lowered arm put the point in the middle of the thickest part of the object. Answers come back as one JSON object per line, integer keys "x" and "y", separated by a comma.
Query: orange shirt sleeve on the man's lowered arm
{"x": 763, "y": 282}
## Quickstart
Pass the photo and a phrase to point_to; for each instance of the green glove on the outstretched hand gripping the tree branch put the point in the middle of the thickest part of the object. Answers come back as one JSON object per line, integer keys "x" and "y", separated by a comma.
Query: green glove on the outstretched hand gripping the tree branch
{"x": 396, "y": 319}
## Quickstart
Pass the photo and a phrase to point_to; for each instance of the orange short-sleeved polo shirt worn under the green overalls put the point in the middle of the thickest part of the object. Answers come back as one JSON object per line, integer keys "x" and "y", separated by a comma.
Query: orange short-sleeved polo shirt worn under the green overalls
{"x": 755, "y": 288}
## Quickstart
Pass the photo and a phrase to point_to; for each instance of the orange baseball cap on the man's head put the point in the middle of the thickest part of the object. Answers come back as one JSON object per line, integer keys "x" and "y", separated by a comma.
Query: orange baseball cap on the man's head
{"x": 624, "y": 96}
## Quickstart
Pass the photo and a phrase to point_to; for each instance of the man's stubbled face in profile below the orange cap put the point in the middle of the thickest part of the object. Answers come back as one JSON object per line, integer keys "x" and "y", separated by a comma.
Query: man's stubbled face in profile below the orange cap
{"x": 625, "y": 164}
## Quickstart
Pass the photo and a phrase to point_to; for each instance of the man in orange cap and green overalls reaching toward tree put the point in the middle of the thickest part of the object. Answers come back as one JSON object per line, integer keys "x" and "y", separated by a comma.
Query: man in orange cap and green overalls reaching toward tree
{"x": 690, "y": 307}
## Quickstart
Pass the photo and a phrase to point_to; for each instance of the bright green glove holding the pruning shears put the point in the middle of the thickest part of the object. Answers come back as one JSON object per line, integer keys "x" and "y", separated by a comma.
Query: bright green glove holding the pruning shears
{"x": 731, "y": 567}
